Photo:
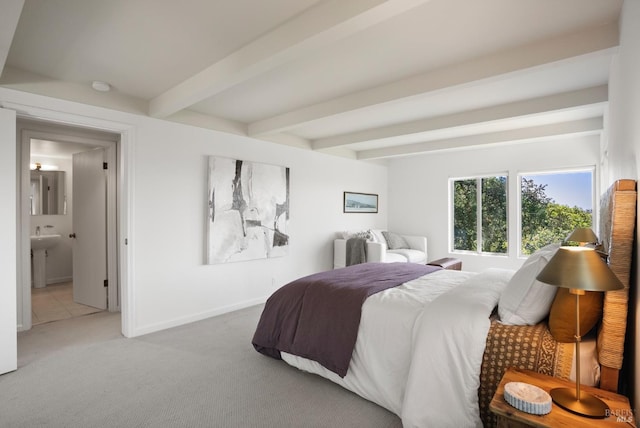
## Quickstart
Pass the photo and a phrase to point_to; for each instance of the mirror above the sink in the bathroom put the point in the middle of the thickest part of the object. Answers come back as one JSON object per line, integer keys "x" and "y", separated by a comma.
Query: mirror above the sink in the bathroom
{"x": 48, "y": 195}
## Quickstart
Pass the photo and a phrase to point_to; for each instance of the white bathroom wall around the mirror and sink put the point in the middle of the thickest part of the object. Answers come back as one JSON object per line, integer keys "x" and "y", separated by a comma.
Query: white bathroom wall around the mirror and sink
{"x": 59, "y": 258}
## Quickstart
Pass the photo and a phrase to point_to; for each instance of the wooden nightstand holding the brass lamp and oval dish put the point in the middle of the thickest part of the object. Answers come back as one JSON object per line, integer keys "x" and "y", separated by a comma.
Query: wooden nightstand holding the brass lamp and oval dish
{"x": 508, "y": 416}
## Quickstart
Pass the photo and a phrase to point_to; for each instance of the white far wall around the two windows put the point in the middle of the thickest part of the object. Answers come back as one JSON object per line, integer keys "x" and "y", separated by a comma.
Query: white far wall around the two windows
{"x": 419, "y": 188}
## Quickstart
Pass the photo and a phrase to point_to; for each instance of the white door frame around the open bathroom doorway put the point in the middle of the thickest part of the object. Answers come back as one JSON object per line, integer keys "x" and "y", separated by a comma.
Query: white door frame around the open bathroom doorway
{"x": 120, "y": 218}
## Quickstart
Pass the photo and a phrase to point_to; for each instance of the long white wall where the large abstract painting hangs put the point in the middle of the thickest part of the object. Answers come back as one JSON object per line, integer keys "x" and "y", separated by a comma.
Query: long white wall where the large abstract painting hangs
{"x": 169, "y": 282}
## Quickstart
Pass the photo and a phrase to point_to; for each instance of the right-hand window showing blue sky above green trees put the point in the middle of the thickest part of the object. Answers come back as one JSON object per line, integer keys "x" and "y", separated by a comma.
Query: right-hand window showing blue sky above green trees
{"x": 552, "y": 205}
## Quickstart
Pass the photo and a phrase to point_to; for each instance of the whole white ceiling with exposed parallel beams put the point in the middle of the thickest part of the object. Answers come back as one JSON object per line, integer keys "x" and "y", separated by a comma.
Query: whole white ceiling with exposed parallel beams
{"x": 361, "y": 78}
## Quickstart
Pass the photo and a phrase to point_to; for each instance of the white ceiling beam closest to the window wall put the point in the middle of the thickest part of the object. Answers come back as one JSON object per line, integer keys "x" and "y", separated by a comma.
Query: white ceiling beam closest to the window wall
{"x": 589, "y": 126}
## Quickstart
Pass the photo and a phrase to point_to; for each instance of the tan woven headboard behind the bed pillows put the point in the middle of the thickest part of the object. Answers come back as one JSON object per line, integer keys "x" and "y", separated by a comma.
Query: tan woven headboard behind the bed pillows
{"x": 617, "y": 230}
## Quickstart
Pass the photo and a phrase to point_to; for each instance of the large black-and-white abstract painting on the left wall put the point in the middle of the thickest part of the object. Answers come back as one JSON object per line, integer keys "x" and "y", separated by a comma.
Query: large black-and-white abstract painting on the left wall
{"x": 248, "y": 211}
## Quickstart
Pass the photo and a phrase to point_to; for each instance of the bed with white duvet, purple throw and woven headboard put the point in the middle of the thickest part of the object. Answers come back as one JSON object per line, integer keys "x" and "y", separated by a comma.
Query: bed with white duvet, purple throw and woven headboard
{"x": 429, "y": 344}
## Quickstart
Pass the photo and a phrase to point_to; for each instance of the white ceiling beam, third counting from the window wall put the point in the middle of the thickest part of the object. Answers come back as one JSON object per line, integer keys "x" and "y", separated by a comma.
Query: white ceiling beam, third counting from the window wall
{"x": 480, "y": 70}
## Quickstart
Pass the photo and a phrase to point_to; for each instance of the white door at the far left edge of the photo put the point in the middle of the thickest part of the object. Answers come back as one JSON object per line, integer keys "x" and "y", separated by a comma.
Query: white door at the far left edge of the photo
{"x": 8, "y": 225}
